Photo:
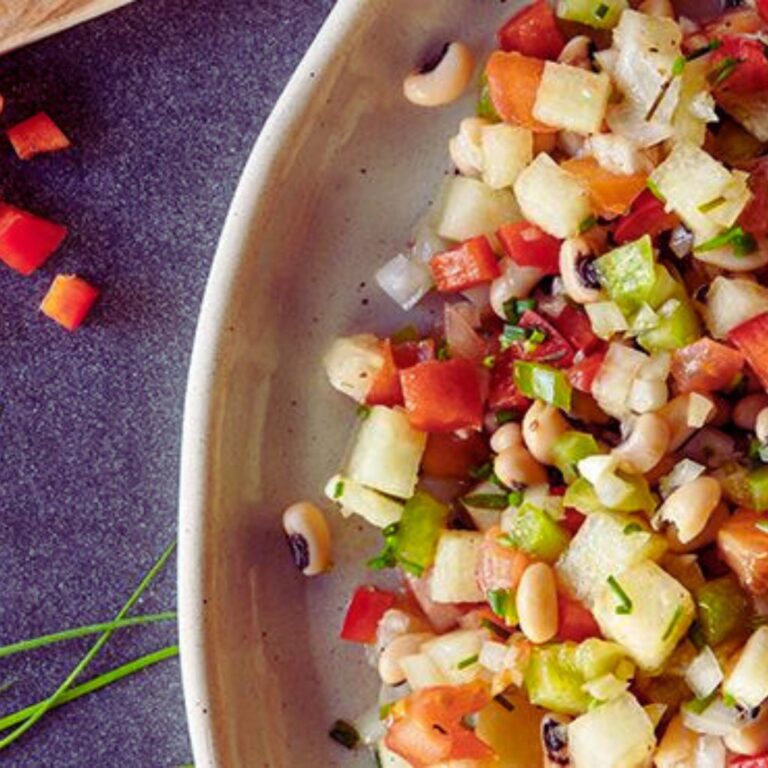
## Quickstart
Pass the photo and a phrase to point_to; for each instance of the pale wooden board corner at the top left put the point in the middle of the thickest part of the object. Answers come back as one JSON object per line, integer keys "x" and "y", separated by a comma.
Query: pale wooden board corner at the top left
{"x": 24, "y": 21}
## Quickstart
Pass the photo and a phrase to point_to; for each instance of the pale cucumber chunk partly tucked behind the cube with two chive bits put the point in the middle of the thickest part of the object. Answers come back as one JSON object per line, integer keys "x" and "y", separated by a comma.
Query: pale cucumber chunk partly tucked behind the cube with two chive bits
{"x": 607, "y": 543}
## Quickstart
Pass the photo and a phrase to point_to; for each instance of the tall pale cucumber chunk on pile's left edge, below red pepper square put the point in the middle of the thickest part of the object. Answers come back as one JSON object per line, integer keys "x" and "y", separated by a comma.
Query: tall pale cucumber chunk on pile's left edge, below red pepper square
{"x": 387, "y": 453}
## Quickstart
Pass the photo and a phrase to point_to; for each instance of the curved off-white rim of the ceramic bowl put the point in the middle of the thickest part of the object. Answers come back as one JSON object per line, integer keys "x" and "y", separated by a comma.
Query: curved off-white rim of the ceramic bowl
{"x": 248, "y": 206}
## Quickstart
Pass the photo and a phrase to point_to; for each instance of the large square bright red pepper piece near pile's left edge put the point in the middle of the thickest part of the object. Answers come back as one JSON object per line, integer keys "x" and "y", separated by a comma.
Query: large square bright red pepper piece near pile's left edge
{"x": 443, "y": 396}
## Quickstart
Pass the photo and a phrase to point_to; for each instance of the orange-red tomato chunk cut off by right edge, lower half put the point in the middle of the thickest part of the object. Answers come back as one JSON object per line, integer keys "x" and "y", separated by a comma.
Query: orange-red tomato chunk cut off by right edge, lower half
{"x": 744, "y": 547}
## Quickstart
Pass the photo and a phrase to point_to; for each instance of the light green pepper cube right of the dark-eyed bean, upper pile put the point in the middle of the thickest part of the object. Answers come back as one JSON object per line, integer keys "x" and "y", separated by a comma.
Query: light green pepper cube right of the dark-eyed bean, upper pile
{"x": 629, "y": 274}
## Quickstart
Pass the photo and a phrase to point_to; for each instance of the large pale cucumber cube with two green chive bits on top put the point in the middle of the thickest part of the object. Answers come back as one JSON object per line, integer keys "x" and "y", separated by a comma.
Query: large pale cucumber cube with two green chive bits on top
{"x": 646, "y": 610}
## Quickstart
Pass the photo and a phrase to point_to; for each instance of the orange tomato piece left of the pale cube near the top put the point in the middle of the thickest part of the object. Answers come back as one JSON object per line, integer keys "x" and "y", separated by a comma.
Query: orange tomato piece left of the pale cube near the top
{"x": 513, "y": 84}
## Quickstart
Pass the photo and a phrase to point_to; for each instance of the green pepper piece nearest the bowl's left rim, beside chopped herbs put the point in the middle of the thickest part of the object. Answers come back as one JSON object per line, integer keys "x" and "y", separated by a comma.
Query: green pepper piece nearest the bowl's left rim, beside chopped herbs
{"x": 423, "y": 521}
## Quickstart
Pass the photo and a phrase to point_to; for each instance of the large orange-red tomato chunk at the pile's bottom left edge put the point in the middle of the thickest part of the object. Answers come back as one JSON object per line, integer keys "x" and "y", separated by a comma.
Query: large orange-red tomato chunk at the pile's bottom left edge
{"x": 429, "y": 729}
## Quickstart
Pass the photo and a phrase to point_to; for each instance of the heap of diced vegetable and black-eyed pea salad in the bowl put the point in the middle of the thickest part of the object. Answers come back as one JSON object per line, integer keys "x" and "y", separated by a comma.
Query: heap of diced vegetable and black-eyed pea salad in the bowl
{"x": 570, "y": 470}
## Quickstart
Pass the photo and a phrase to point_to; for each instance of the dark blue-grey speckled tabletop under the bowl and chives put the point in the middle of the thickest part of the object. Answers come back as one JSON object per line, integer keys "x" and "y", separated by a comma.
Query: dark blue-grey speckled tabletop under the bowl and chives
{"x": 163, "y": 101}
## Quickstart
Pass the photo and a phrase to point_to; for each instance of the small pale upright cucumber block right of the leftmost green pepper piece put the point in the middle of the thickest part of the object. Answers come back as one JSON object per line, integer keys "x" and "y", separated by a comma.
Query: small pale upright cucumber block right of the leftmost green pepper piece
{"x": 453, "y": 575}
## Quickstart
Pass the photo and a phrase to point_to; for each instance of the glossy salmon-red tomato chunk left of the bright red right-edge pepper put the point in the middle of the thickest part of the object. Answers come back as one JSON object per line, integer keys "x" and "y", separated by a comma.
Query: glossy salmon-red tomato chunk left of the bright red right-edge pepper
{"x": 706, "y": 366}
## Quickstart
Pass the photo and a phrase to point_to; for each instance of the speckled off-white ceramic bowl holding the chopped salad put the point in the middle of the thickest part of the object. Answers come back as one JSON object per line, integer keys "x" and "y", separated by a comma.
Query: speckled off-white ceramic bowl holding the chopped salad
{"x": 340, "y": 174}
